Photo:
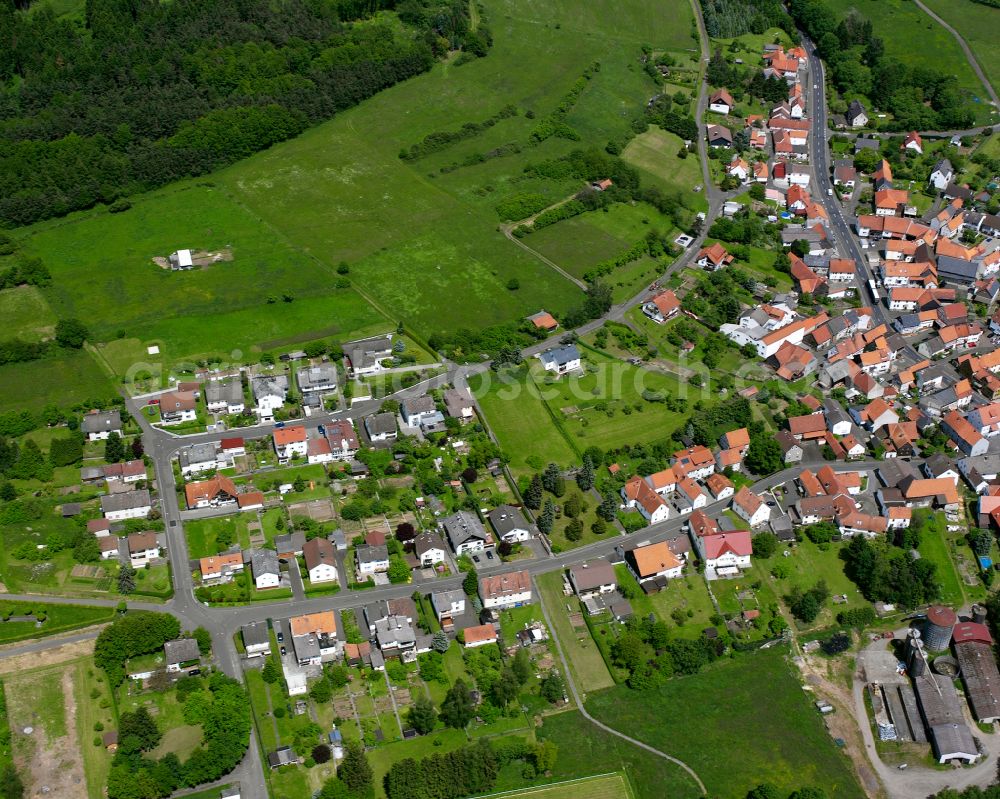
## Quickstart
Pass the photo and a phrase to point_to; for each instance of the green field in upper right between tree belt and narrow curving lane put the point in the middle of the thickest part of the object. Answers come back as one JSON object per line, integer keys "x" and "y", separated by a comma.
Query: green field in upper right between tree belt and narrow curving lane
{"x": 914, "y": 38}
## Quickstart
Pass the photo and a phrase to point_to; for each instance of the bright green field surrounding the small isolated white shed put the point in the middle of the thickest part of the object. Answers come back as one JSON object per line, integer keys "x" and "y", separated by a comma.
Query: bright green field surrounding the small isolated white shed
{"x": 103, "y": 273}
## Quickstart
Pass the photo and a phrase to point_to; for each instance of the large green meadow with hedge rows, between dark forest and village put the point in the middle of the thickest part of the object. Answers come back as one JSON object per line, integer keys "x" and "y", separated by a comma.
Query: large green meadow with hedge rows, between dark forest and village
{"x": 412, "y": 233}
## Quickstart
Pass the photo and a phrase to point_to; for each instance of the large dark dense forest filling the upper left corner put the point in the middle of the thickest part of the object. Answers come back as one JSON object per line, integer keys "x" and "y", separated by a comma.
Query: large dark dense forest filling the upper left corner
{"x": 138, "y": 93}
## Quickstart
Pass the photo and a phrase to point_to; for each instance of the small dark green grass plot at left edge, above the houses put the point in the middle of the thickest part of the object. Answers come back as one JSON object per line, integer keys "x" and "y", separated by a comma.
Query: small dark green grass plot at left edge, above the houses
{"x": 66, "y": 379}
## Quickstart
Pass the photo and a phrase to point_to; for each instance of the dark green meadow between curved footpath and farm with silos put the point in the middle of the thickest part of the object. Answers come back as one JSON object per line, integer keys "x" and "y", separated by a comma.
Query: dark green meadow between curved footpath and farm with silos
{"x": 763, "y": 730}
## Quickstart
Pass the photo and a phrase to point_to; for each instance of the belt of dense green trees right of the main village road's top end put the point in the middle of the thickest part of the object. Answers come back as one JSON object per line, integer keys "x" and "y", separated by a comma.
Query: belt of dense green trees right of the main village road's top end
{"x": 919, "y": 98}
